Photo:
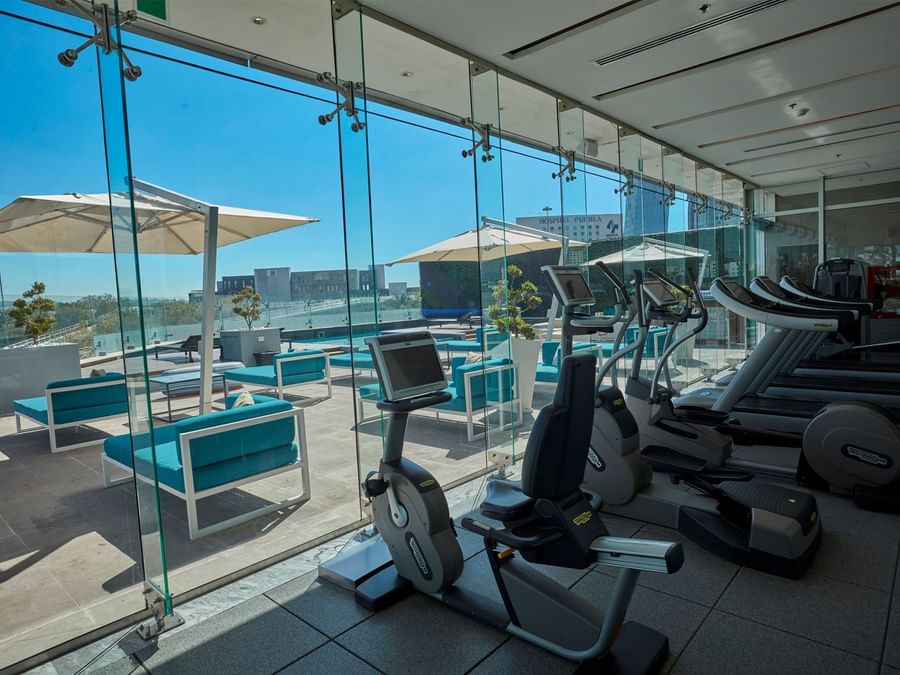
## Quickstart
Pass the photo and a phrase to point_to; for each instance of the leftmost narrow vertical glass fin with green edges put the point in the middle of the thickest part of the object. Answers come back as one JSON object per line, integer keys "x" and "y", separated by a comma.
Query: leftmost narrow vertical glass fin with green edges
{"x": 128, "y": 279}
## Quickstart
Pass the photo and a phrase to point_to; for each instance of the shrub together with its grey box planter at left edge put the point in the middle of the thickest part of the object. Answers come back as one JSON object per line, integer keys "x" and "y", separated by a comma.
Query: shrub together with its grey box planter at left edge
{"x": 26, "y": 372}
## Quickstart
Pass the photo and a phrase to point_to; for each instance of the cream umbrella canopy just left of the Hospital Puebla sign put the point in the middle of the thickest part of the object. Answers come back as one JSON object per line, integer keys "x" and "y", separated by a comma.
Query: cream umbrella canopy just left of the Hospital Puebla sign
{"x": 486, "y": 243}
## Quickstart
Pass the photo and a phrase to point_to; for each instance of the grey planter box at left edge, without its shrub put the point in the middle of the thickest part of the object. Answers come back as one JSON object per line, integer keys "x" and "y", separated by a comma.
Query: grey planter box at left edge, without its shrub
{"x": 25, "y": 372}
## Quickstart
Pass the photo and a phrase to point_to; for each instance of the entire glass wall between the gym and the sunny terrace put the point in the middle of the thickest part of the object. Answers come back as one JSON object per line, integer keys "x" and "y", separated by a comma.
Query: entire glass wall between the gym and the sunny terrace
{"x": 250, "y": 214}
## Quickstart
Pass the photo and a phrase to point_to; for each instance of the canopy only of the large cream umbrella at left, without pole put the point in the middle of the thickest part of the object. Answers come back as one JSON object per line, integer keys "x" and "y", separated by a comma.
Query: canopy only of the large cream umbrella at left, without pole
{"x": 80, "y": 223}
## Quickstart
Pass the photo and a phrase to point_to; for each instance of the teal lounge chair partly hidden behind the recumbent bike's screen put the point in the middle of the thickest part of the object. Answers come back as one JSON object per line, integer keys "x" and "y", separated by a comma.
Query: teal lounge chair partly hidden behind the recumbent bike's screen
{"x": 486, "y": 386}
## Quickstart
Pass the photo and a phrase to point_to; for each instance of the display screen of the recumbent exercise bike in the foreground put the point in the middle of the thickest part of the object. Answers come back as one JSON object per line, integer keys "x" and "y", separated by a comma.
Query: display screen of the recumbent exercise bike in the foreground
{"x": 411, "y": 369}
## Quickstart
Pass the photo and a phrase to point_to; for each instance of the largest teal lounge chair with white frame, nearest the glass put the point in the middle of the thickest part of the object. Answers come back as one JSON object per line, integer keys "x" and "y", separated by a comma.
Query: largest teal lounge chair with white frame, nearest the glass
{"x": 202, "y": 456}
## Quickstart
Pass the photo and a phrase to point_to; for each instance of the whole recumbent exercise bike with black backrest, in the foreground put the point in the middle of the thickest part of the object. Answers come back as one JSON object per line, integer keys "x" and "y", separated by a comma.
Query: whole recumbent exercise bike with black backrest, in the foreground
{"x": 546, "y": 519}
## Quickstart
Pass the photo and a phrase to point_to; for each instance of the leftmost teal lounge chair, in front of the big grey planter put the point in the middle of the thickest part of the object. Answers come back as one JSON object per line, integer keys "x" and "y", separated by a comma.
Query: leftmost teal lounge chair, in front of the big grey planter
{"x": 72, "y": 403}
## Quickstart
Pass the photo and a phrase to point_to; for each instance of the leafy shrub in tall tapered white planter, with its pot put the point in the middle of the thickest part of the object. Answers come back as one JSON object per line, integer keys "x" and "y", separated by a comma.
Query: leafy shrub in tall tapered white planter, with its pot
{"x": 513, "y": 296}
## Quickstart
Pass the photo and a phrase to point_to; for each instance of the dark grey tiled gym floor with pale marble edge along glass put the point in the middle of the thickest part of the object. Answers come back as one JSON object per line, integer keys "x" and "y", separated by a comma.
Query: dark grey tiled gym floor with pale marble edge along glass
{"x": 842, "y": 618}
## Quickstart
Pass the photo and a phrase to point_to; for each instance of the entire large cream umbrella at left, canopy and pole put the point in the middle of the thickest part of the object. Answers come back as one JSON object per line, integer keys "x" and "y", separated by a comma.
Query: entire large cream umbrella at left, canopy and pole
{"x": 167, "y": 223}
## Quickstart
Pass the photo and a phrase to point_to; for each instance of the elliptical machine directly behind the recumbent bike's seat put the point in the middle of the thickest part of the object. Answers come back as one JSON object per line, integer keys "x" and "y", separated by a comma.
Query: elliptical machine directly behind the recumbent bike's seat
{"x": 766, "y": 527}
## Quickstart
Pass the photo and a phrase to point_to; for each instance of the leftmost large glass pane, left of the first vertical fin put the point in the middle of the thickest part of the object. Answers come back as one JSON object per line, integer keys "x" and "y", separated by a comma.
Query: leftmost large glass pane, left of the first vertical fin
{"x": 70, "y": 554}
